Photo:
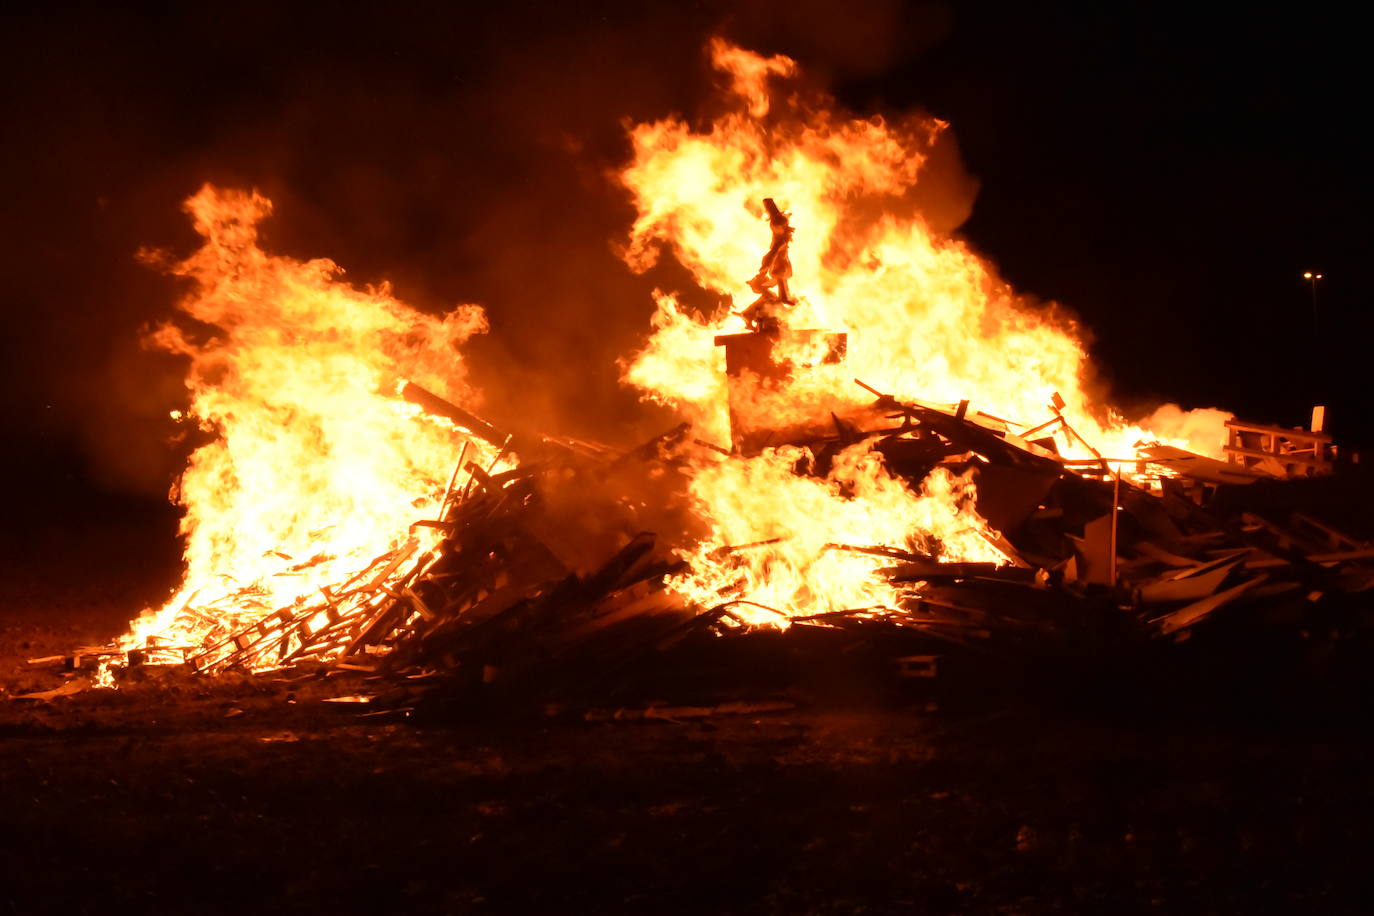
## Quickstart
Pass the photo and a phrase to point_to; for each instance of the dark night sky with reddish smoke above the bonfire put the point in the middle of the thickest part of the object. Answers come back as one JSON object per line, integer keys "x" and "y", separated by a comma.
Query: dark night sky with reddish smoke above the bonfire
{"x": 1166, "y": 174}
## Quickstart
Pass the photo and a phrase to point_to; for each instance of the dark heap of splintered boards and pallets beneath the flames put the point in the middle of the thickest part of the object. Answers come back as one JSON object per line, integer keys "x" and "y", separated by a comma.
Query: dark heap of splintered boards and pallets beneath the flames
{"x": 542, "y": 575}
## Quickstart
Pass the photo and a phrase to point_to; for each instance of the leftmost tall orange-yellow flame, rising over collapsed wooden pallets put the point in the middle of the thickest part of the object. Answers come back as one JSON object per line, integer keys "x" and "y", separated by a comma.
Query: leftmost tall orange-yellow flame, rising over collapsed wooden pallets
{"x": 315, "y": 468}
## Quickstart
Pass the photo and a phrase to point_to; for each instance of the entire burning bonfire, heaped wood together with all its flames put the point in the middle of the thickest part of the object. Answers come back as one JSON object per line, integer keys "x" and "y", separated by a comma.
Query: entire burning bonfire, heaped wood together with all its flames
{"x": 348, "y": 518}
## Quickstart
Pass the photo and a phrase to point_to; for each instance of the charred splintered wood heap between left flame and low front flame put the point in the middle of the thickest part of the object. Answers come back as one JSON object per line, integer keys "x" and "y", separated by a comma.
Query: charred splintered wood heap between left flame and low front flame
{"x": 512, "y": 586}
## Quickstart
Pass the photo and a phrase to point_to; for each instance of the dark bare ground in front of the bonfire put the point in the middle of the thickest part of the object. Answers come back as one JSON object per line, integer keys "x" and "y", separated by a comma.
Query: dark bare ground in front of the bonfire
{"x": 254, "y": 796}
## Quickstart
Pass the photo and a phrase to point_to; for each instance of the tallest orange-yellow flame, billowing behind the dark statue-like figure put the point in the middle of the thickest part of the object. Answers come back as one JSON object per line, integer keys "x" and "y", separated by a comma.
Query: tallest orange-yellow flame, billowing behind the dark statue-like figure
{"x": 927, "y": 318}
